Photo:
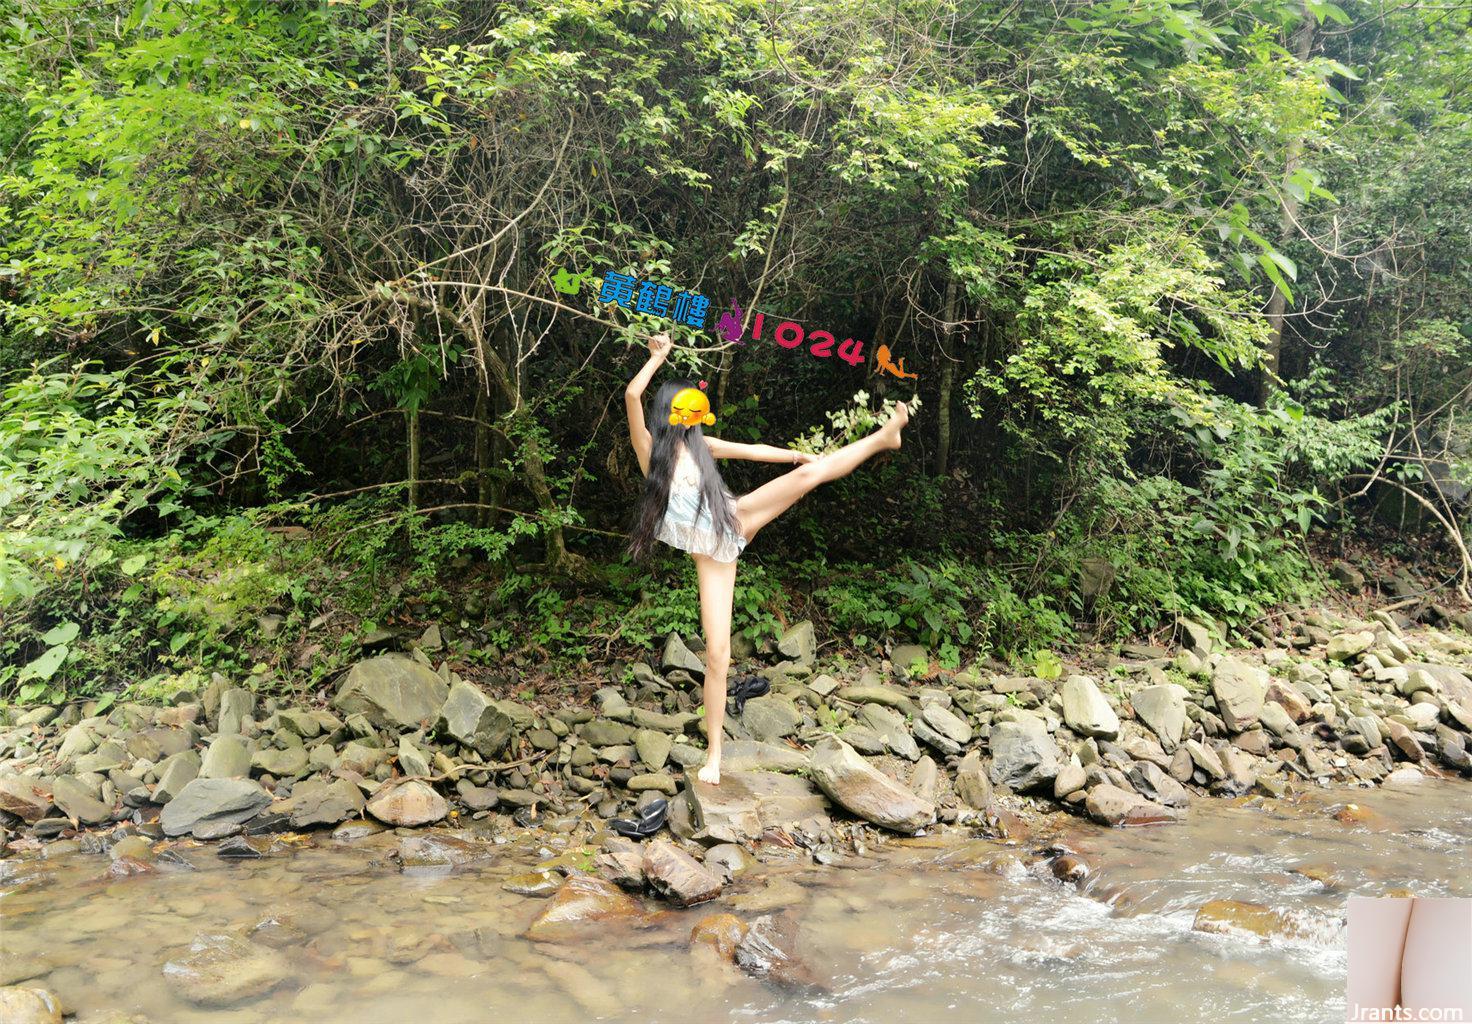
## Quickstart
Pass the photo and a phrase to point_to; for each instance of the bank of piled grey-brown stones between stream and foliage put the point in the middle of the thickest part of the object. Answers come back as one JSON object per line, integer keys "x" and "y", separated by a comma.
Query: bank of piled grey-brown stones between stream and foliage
{"x": 829, "y": 754}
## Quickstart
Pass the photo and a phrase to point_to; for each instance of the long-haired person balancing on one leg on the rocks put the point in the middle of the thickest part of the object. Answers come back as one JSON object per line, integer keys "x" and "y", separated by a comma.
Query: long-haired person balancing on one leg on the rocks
{"x": 688, "y": 505}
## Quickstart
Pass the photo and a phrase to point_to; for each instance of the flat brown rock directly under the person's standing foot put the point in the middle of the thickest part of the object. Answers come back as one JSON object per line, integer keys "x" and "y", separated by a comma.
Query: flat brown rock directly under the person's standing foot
{"x": 746, "y": 804}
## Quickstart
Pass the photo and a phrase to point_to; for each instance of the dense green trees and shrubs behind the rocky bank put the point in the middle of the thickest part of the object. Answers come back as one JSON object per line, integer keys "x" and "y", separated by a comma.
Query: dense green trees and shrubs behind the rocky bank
{"x": 283, "y": 360}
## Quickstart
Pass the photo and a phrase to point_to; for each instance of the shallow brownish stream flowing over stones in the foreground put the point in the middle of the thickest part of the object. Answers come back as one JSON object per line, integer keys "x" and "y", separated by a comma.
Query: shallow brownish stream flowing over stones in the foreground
{"x": 921, "y": 931}
